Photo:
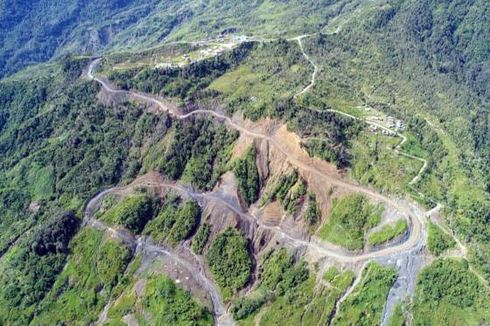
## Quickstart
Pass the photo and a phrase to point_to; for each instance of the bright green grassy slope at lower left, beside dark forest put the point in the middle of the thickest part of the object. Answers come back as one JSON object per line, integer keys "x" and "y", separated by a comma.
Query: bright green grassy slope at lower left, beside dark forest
{"x": 85, "y": 285}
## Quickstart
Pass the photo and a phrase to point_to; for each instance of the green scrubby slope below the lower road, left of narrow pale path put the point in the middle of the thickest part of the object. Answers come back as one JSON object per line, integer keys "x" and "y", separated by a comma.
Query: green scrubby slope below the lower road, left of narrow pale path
{"x": 289, "y": 294}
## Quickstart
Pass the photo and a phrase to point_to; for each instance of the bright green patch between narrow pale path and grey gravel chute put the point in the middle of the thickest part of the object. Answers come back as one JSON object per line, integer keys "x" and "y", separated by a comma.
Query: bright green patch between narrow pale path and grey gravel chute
{"x": 365, "y": 305}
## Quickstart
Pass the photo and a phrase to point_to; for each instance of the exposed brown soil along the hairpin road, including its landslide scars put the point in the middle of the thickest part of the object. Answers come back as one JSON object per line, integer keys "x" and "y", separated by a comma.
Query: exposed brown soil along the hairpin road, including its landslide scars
{"x": 279, "y": 152}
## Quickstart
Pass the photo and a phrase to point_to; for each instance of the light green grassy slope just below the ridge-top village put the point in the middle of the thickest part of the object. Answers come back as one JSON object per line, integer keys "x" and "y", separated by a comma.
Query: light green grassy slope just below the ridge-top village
{"x": 272, "y": 72}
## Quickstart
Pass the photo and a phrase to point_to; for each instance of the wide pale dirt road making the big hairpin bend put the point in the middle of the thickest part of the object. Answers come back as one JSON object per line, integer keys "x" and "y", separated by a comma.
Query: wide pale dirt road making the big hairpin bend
{"x": 317, "y": 169}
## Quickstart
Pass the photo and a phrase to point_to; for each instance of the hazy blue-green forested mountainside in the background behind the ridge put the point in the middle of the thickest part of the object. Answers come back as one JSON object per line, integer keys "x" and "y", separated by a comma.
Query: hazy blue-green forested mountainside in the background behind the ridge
{"x": 35, "y": 31}
